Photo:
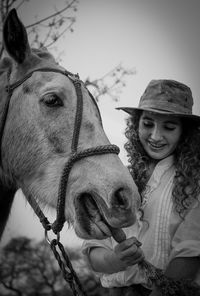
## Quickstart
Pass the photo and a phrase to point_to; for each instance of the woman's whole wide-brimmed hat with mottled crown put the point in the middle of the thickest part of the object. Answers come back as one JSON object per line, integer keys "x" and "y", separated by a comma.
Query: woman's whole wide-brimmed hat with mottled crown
{"x": 168, "y": 97}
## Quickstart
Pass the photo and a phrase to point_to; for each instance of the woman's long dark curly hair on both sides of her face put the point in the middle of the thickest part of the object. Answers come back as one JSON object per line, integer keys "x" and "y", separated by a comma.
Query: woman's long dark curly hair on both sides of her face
{"x": 186, "y": 160}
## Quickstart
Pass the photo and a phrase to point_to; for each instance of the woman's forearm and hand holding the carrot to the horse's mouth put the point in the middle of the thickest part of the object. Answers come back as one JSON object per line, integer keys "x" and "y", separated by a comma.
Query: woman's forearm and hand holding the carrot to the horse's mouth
{"x": 125, "y": 254}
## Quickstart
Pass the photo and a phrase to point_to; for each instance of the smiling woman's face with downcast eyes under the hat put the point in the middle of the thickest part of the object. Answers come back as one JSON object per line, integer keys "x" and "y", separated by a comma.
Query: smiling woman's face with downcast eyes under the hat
{"x": 159, "y": 134}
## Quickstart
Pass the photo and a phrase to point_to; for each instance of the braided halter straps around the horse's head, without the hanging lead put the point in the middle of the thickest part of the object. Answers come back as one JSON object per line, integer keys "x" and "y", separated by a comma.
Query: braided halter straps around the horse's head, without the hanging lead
{"x": 75, "y": 154}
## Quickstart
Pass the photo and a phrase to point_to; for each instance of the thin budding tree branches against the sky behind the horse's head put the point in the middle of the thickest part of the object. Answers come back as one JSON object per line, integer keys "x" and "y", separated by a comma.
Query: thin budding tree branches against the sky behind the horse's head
{"x": 46, "y": 31}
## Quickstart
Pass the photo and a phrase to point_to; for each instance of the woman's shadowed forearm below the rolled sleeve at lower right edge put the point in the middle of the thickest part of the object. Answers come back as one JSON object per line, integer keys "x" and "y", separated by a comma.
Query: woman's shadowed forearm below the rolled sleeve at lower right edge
{"x": 181, "y": 268}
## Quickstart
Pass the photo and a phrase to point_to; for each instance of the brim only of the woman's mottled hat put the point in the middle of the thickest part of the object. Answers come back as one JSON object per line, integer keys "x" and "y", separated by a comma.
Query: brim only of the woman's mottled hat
{"x": 130, "y": 110}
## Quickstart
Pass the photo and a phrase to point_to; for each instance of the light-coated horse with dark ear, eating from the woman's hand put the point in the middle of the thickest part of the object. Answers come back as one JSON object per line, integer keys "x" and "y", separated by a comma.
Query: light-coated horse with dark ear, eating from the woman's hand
{"x": 53, "y": 146}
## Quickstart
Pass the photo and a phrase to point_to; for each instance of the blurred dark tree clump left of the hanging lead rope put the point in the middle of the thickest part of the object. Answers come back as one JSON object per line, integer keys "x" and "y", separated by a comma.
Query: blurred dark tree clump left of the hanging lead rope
{"x": 27, "y": 269}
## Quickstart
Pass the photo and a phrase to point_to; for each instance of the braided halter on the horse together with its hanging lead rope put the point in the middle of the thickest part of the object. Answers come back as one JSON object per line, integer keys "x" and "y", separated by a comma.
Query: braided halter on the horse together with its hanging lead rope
{"x": 75, "y": 155}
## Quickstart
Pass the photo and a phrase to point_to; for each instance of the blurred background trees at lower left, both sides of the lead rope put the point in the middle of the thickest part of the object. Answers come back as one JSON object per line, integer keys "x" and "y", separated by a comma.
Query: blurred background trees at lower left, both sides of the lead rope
{"x": 28, "y": 268}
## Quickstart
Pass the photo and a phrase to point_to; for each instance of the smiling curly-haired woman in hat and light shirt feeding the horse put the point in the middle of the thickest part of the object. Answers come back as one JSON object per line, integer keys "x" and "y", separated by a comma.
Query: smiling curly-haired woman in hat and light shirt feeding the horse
{"x": 163, "y": 149}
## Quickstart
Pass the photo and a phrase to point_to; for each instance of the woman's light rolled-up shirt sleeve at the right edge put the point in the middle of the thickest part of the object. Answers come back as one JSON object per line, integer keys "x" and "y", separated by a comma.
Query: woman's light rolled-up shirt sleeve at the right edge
{"x": 186, "y": 240}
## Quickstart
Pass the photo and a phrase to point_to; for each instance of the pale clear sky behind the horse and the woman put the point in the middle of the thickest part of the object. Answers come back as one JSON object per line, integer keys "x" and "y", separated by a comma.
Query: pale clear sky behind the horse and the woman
{"x": 157, "y": 38}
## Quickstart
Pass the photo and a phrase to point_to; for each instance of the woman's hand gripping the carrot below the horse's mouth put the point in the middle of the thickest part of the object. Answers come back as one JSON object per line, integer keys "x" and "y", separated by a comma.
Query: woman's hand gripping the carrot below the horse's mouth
{"x": 129, "y": 252}
